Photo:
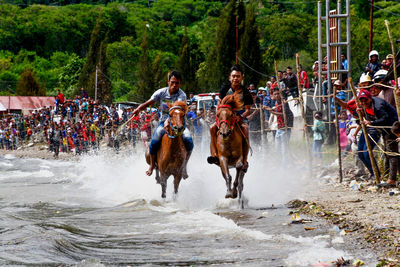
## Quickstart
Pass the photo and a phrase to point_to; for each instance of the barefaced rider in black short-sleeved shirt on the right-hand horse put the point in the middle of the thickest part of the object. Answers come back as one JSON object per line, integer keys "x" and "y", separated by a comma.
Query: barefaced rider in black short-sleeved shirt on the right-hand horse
{"x": 235, "y": 86}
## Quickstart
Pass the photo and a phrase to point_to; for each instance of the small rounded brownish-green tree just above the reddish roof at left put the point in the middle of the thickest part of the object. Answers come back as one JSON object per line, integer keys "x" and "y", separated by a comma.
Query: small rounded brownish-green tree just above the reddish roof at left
{"x": 28, "y": 85}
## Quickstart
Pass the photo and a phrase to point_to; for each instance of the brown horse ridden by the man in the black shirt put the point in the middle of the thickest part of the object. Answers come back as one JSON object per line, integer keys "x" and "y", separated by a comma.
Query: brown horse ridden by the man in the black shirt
{"x": 230, "y": 145}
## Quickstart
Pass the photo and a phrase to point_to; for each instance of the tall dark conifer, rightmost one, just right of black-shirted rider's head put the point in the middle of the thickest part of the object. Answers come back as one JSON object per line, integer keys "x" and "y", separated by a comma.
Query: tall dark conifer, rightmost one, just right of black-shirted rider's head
{"x": 250, "y": 46}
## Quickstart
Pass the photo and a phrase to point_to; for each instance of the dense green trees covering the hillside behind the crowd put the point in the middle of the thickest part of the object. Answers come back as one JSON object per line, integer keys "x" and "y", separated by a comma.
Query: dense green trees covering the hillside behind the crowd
{"x": 135, "y": 44}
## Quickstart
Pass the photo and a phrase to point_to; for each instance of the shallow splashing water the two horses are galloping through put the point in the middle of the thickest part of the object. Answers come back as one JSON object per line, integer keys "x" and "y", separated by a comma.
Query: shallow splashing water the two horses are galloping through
{"x": 103, "y": 210}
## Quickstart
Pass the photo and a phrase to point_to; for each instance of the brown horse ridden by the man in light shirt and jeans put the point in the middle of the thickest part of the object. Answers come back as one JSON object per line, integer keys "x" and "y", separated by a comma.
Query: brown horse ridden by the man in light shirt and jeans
{"x": 172, "y": 154}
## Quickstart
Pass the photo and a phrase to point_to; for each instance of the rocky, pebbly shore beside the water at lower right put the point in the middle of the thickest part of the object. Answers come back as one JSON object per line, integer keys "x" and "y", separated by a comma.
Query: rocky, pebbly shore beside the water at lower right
{"x": 358, "y": 208}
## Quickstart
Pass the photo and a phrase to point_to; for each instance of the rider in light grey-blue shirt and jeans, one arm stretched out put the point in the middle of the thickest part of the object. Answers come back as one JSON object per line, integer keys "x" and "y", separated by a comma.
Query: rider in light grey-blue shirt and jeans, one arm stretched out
{"x": 166, "y": 95}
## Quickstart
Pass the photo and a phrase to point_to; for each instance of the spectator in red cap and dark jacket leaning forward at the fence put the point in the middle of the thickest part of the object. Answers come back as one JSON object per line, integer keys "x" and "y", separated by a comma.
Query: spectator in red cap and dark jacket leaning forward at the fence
{"x": 378, "y": 112}
